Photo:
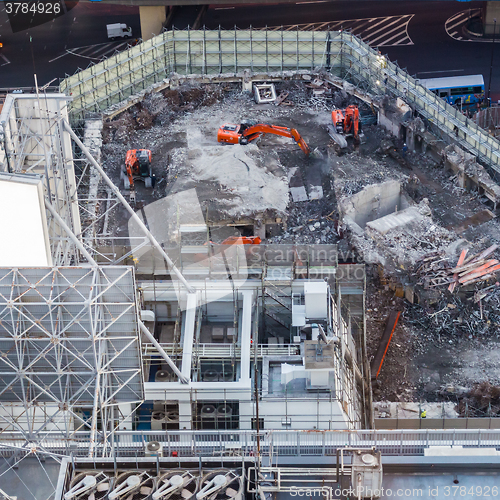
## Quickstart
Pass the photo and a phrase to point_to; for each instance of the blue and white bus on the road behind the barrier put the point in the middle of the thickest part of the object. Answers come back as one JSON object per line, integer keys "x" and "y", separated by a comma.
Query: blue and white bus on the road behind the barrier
{"x": 457, "y": 90}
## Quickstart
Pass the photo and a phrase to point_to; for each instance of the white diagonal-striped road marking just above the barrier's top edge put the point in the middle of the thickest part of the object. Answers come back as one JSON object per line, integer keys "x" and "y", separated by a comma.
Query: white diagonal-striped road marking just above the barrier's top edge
{"x": 376, "y": 31}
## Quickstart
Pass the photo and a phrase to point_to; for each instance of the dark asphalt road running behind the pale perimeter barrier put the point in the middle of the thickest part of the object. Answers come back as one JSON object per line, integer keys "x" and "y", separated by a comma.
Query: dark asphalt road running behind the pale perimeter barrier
{"x": 427, "y": 51}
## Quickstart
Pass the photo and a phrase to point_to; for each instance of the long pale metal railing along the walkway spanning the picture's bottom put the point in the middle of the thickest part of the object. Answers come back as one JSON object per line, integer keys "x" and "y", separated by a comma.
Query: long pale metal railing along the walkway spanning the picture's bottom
{"x": 271, "y": 443}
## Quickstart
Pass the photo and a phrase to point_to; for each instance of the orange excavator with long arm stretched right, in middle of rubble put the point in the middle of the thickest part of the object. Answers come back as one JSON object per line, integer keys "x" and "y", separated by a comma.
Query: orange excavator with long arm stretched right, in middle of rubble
{"x": 247, "y": 132}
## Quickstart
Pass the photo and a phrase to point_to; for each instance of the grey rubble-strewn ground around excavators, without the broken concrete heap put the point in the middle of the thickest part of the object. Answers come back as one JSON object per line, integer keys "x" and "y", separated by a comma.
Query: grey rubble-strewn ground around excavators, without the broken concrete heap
{"x": 426, "y": 360}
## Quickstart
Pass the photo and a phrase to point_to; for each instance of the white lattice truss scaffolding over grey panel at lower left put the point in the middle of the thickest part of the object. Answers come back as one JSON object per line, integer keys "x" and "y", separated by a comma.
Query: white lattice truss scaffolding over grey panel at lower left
{"x": 71, "y": 354}
